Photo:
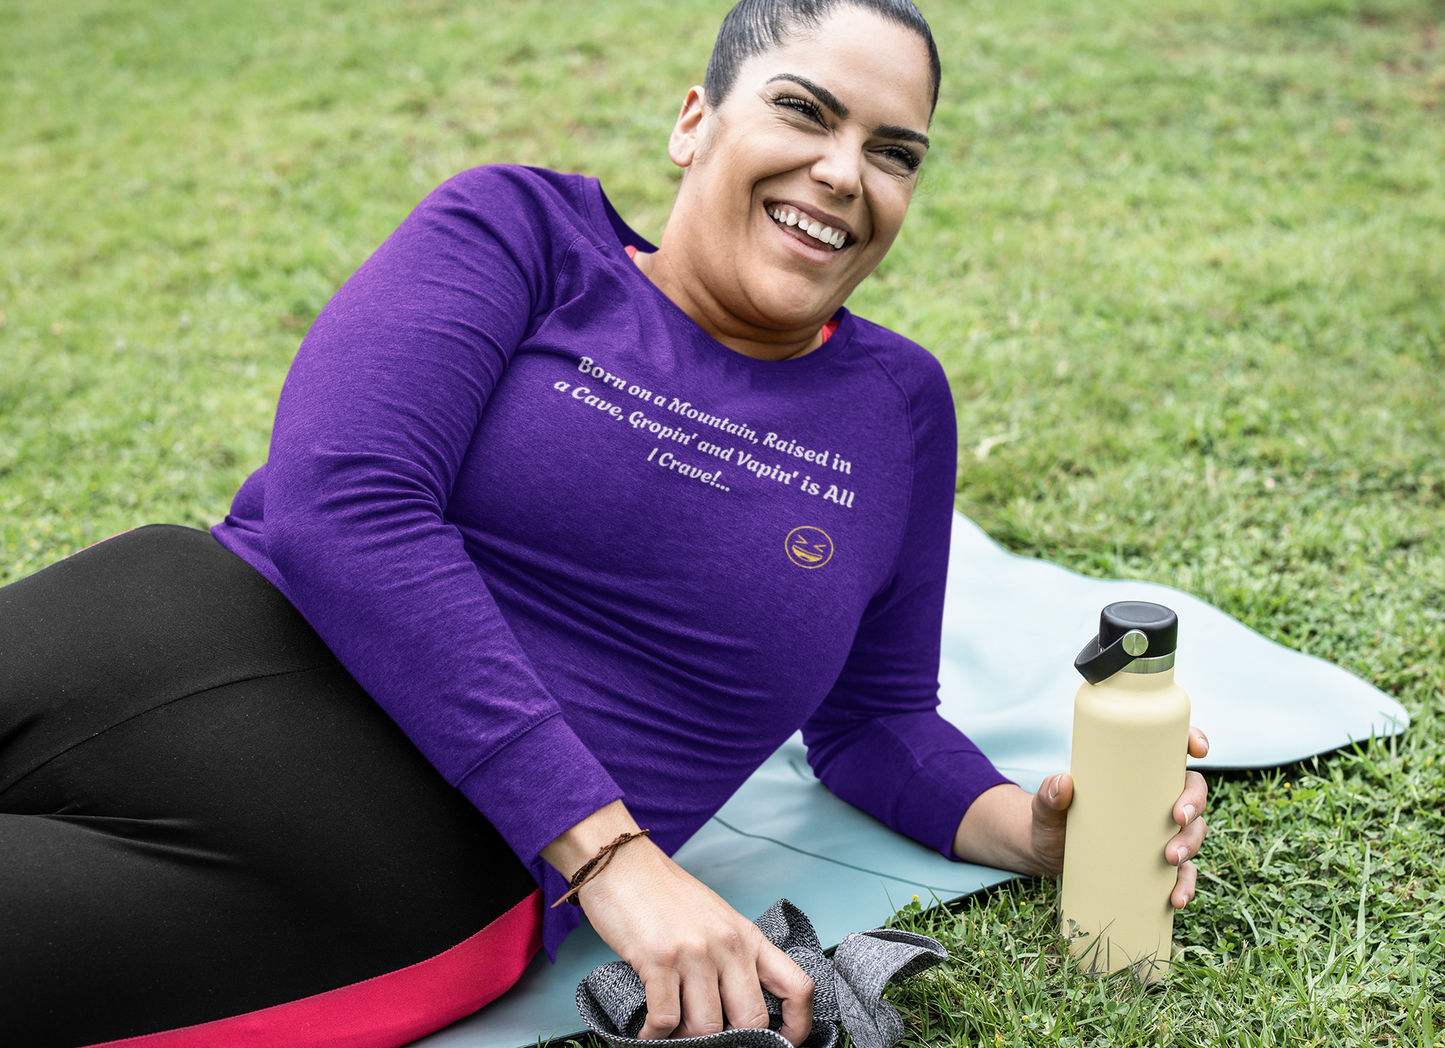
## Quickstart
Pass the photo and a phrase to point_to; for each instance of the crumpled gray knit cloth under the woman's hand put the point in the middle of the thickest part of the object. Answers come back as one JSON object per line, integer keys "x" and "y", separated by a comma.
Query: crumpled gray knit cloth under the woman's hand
{"x": 847, "y": 989}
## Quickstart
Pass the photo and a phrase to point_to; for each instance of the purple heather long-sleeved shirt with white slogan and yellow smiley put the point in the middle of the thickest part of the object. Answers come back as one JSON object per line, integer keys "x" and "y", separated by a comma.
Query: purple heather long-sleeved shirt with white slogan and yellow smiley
{"x": 582, "y": 551}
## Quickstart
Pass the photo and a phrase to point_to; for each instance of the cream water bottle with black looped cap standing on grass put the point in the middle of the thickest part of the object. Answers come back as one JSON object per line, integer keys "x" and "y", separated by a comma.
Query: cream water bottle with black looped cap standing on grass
{"x": 1131, "y": 745}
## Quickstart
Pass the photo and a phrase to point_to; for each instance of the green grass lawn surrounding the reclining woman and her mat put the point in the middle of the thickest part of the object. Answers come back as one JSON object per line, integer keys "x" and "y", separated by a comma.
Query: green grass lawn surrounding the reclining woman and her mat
{"x": 1184, "y": 262}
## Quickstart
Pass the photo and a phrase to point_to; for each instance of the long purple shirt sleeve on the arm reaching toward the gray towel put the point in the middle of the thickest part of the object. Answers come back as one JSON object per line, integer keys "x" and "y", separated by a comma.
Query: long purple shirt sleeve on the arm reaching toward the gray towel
{"x": 374, "y": 423}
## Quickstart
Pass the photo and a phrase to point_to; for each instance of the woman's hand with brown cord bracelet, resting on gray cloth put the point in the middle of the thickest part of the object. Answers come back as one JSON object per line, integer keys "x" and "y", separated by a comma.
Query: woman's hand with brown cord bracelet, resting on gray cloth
{"x": 703, "y": 963}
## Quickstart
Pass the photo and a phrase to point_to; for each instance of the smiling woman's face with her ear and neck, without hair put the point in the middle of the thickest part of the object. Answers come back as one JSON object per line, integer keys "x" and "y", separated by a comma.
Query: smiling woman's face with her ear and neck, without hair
{"x": 821, "y": 134}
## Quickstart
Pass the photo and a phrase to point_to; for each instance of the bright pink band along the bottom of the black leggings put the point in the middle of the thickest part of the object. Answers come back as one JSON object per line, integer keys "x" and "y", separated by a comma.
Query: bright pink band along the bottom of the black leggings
{"x": 387, "y": 1011}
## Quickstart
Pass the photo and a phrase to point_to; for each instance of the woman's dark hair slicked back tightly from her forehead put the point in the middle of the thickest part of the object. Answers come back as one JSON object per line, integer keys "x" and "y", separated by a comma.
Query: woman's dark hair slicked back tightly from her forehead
{"x": 755, "y": 27}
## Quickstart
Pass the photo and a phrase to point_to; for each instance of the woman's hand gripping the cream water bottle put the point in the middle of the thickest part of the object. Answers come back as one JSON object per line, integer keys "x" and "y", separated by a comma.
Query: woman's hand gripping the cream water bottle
{"x": 1014, "y": 830}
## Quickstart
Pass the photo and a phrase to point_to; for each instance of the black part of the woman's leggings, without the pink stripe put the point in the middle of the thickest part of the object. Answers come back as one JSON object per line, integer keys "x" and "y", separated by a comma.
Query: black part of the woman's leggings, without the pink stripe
{"x": 202, "y": 813}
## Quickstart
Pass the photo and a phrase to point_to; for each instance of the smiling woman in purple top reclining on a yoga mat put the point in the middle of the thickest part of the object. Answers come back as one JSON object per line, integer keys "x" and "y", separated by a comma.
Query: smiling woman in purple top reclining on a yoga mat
{"x": 598, "y": 527}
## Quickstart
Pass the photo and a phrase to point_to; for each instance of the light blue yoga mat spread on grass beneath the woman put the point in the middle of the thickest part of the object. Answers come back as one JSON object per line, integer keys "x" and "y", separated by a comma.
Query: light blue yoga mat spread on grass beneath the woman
{"x": 1012, "y": 628}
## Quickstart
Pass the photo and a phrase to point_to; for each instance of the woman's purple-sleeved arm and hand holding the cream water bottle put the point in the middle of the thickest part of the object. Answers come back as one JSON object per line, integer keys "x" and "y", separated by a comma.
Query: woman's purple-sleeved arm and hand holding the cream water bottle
{"x": 879, "y": 741}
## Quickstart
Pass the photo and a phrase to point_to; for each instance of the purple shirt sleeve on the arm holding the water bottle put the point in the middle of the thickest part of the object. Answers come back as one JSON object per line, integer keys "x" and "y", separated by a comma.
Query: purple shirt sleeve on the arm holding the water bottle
{"x": 878, "y": 741}
